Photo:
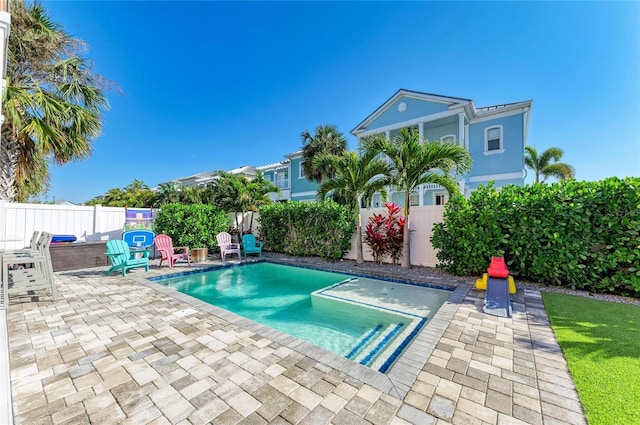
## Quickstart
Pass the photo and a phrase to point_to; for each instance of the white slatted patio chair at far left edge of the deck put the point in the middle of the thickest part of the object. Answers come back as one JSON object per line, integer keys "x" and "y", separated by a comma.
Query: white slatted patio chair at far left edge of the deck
{"x": 38, "y": 276}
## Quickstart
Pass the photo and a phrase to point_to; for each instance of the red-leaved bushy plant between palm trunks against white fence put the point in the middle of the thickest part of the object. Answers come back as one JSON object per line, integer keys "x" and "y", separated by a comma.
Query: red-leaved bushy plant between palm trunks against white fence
{"x": 384, "y": 234}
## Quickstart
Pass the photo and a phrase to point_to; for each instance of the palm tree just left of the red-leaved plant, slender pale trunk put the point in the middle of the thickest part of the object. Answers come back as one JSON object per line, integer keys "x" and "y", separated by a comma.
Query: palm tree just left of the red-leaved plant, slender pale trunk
{"x": 357, "y": 179}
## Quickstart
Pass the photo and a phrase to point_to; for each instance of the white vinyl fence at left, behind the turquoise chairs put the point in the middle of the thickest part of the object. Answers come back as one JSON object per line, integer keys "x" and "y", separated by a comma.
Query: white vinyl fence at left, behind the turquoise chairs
{"x": 86, "y": 223}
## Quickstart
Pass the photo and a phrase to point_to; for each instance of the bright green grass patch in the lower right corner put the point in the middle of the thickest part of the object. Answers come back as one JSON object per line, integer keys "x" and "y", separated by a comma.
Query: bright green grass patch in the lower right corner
{"x": 601, "y": 342}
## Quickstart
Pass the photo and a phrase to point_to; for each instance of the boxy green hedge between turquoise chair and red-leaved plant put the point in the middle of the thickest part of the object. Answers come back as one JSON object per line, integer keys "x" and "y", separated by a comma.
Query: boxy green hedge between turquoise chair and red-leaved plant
{"x": 307, "y": 229}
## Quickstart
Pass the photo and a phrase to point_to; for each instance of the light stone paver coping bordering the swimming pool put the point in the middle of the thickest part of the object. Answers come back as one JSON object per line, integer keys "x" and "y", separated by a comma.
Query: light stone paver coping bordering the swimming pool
{"x": 397, "y": 381}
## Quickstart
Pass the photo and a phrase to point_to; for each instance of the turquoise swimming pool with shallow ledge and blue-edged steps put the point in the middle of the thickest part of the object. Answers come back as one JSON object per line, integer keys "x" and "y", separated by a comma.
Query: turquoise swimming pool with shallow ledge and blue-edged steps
{"x": 366, "y": 320}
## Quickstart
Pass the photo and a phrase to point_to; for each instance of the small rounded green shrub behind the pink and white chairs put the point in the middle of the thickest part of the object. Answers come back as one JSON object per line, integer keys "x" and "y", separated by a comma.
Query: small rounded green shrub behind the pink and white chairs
{"x": 195, "y": 226}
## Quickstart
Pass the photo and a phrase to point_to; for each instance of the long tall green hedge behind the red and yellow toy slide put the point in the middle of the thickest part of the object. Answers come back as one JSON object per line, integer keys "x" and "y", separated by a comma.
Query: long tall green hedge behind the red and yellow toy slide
{"x": 584, "y": 235}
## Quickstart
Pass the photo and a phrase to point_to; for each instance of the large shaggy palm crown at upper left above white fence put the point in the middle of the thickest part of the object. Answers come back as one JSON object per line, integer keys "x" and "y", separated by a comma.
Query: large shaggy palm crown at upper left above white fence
{"x": 53, "y": 106}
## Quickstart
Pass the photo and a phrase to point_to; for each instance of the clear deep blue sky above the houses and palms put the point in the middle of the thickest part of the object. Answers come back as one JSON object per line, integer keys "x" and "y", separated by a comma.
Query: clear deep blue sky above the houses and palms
{"x": 213, "y": 85}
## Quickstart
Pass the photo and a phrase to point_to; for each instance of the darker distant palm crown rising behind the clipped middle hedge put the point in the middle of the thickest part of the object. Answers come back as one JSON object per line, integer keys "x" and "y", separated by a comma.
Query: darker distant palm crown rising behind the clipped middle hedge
{"x": 326, "y": 140}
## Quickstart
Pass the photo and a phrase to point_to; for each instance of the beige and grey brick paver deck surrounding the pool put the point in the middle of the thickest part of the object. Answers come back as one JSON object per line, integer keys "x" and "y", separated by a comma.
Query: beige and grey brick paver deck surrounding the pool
{"x": 116, "y": 349}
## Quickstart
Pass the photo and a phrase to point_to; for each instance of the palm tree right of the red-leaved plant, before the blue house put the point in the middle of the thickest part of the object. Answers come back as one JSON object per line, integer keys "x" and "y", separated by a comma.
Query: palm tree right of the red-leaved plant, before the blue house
{"x": 415, "y": 162}
